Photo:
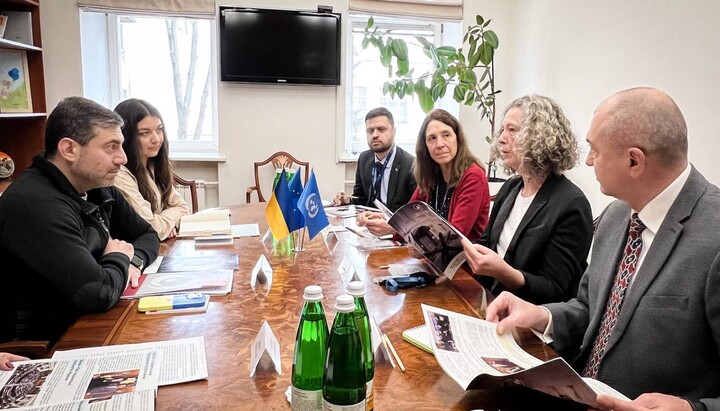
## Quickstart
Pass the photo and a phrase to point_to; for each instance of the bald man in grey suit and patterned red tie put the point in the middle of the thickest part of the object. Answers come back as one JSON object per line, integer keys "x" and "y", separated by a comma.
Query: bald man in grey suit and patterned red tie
{"x": 647, "y": 315}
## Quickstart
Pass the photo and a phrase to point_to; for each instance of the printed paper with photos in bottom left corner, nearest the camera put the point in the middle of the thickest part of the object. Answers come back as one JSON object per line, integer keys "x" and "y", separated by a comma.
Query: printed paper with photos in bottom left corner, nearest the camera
{"x": 50, "y": 382}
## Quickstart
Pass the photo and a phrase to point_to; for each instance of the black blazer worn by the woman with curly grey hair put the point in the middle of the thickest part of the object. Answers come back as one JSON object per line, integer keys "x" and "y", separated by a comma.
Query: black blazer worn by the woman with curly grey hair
{"x": 552, "y": 242}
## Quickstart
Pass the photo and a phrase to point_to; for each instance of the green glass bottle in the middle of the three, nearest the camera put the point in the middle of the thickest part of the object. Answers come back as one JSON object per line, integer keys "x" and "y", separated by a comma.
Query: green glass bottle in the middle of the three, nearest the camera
{"x": 344, "y": 378}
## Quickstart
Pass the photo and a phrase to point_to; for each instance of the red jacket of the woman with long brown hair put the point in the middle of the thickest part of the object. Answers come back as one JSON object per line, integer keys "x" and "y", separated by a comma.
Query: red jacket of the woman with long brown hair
{"x": 469, "y": 203}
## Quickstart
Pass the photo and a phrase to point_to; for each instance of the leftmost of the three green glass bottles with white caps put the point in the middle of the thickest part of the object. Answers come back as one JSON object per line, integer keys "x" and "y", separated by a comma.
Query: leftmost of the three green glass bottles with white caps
{"x": 310, "y": 351}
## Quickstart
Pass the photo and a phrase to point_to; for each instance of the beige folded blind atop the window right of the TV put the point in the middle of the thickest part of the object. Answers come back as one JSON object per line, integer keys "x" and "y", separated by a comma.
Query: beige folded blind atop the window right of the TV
{"x": 443, "y": 9}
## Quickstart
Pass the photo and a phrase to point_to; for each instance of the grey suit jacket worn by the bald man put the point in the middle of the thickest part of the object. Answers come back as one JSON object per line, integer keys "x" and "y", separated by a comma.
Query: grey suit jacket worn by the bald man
{"x": 667, "y": 335}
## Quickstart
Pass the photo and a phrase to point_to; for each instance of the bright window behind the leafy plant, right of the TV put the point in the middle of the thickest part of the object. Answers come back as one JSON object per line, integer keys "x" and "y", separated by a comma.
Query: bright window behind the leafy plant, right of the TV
{"x": 366, "y": 77}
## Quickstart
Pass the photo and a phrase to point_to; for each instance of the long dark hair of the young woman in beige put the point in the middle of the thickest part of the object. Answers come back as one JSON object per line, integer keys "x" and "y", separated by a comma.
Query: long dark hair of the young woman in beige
{"x": 134, "y": 111}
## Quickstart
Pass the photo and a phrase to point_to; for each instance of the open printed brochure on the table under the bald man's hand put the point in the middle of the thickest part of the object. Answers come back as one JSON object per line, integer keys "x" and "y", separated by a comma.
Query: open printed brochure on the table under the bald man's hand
{"x": 472, "y": 353}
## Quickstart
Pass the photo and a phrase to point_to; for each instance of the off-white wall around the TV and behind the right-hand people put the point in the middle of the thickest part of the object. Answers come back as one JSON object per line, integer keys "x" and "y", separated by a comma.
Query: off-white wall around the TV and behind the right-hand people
{"x": 577, "y": 52}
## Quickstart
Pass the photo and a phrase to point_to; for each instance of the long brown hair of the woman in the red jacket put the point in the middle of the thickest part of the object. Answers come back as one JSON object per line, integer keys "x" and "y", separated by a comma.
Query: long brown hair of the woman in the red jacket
{"x": 426, "y": 169}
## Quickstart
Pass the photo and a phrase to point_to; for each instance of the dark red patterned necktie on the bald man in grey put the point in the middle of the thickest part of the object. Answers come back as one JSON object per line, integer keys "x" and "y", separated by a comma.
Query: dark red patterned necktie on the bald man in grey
{"x": 615, "y": 300}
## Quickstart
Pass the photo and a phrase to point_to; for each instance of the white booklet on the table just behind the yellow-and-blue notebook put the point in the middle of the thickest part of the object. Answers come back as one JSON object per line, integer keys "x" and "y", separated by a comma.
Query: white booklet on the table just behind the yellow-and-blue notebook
{"x": 218, "y": 282}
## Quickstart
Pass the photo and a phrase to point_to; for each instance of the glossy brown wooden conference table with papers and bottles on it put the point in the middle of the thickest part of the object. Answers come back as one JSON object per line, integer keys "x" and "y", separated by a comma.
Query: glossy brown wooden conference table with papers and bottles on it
{"x": 231, "y": 323}
